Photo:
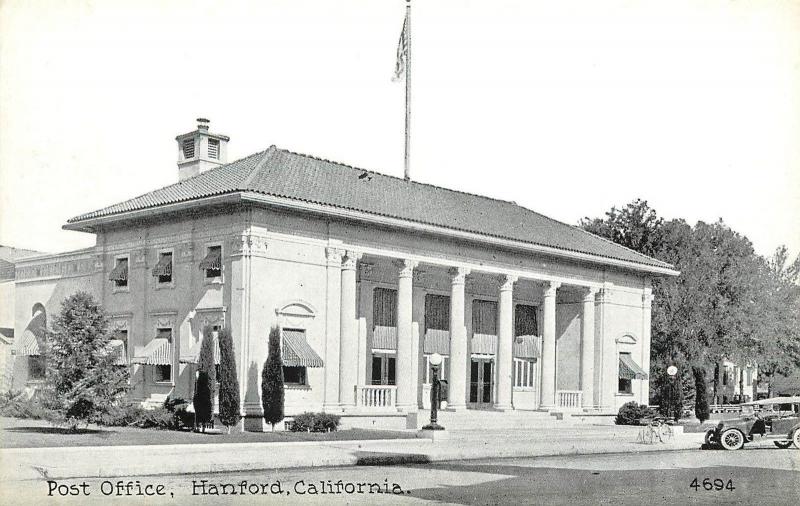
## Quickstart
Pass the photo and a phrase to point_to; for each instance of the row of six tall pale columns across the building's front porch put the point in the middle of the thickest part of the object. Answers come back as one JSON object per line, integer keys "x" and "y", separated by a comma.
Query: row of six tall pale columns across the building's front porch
{"x": 342, "y": 350}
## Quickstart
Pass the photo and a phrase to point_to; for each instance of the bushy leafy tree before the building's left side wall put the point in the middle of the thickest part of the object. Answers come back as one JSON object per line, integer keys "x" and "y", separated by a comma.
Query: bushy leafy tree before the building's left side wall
{"x": 82, "y": 381}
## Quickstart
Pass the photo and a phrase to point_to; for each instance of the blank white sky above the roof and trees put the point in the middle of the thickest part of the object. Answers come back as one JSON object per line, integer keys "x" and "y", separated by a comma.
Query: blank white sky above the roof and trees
{"x": 567, "y": 108}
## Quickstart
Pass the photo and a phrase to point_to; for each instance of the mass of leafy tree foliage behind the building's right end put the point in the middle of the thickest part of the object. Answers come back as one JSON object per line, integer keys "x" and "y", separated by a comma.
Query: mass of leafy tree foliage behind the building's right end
{"x": 728, "y": 302}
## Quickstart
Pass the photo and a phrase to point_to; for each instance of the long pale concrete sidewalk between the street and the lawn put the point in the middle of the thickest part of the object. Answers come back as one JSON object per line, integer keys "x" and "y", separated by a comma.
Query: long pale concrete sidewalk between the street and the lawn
{"x": 114, "y": 461}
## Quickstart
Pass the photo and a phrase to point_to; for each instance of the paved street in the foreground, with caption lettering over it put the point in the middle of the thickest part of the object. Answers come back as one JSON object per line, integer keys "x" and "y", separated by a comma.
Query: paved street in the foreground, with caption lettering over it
{"x": 757, "y": 475}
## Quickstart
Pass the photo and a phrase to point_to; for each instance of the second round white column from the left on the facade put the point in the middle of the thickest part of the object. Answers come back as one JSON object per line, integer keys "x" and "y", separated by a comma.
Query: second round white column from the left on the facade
{"x": 406, "y": 391}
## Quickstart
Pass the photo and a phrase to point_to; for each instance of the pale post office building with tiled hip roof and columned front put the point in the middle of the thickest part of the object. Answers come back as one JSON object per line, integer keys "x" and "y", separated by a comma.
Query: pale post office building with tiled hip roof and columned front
{"x": 366, "y": 275}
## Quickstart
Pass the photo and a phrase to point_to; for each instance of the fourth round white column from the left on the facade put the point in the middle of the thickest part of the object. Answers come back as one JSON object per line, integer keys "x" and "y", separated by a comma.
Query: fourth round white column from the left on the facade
{"x": 505, "y": 336}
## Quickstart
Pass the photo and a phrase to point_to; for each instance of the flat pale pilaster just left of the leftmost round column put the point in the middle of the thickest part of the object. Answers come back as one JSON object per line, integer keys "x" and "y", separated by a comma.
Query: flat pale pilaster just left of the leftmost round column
{"x": 332, "y": 327}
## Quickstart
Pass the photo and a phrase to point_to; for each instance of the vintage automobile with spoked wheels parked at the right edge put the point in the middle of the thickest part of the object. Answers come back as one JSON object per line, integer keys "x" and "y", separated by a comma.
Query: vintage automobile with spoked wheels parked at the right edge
{"x": 776, "y": 419}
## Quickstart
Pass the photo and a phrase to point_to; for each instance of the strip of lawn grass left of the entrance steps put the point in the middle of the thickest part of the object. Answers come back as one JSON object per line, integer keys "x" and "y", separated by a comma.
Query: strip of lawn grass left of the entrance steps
{"x": 20, "y": 433}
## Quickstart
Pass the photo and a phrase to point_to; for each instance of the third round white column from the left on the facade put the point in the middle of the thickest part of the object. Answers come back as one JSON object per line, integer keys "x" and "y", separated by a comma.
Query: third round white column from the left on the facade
{"x": 458, "y": 341}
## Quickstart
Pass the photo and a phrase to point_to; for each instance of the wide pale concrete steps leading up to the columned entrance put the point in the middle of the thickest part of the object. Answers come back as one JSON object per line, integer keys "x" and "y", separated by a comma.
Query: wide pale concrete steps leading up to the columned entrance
{"x": 474, "y": 419}
